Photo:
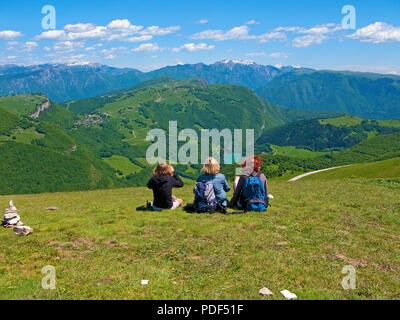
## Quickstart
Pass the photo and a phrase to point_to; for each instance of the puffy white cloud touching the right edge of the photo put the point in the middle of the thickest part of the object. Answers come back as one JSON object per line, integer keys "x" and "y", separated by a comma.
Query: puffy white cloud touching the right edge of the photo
{"x": 378, "y": 32}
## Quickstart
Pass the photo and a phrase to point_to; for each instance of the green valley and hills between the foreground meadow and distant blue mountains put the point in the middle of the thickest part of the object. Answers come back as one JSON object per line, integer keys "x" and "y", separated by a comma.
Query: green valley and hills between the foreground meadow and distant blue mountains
{"x": 104, "y": 138}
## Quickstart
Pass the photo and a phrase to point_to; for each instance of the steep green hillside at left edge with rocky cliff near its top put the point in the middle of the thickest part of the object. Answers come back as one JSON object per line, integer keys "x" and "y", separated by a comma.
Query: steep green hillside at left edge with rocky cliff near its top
{"x": 39, "y": 155}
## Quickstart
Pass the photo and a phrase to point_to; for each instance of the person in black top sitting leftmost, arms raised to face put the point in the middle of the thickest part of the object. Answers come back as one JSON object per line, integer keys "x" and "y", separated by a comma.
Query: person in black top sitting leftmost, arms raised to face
{"x": 163, "y": 180}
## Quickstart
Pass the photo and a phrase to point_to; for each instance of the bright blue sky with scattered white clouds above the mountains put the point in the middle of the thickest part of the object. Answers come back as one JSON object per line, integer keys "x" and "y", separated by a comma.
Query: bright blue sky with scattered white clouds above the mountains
{"x": 149, "y": 34}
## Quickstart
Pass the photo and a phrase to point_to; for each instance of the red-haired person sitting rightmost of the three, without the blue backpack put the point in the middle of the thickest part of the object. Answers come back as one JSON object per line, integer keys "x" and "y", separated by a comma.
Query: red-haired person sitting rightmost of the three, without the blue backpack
{"x": 251, "y": 167}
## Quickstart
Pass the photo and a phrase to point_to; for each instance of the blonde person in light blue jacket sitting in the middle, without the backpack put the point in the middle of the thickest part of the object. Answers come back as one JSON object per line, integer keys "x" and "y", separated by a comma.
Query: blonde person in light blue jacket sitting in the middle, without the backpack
{"x": 211, "y": 174}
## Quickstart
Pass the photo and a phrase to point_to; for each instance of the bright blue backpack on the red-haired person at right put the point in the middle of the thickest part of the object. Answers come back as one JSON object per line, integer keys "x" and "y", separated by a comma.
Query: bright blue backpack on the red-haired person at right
{"x": 253, "y": 195}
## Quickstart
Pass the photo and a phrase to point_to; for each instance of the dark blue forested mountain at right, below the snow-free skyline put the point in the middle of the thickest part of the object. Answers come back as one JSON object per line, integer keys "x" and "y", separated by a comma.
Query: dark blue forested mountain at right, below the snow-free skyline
{"x": 367, "y": 95}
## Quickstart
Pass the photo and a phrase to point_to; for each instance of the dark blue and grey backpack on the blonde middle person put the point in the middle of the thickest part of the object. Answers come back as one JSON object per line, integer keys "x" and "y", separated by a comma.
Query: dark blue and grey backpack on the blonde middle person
{"x": 204, "y": 198}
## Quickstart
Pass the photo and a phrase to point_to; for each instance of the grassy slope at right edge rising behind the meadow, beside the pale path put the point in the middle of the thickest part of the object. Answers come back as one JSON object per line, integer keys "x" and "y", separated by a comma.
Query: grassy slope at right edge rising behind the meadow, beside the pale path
{"x": 381, "y": 169}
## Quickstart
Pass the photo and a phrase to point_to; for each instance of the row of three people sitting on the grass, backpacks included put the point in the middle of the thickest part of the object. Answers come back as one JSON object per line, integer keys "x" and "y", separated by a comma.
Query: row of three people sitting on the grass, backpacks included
{"x": 250, "y": 188}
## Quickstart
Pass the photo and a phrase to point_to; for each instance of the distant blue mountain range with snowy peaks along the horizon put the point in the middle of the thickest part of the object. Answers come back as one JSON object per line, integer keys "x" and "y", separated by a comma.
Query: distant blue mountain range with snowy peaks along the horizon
{"x": 368, "y": 95}
